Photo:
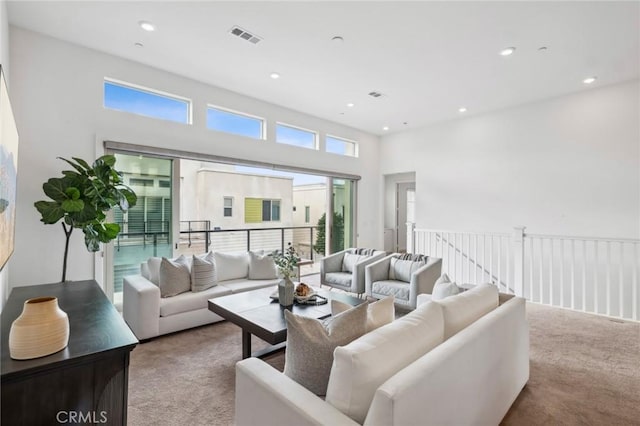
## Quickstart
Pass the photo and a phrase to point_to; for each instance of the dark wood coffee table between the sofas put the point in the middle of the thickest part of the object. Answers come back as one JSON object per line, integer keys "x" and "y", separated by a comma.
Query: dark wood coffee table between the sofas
{"x": 256, "y": 313}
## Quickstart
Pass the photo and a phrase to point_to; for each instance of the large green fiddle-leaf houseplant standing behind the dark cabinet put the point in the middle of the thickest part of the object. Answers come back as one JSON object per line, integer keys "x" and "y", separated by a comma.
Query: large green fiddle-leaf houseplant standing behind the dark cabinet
{"x": 81, "y": 199}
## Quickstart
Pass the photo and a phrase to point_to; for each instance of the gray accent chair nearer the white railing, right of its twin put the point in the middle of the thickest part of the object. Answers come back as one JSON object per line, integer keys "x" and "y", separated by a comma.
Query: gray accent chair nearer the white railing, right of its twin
{"x": 404, "y": 279}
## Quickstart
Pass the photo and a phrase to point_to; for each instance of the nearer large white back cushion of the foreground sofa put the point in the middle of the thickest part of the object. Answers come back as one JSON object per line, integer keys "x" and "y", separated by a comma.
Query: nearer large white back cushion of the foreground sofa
{"x": 360, "y": 367}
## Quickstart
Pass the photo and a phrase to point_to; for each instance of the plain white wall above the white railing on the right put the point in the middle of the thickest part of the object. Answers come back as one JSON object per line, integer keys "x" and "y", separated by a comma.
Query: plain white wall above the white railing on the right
{"x": 569, "y": 165}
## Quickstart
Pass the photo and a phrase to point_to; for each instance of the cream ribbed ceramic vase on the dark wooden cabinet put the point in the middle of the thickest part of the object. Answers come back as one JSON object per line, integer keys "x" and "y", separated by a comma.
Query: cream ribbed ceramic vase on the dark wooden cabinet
{"x": 41, "y": 329}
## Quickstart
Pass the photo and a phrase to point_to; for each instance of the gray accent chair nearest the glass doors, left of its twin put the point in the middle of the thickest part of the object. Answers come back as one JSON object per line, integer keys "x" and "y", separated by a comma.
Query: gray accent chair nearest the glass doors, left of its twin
{"x": 345, "y": 269}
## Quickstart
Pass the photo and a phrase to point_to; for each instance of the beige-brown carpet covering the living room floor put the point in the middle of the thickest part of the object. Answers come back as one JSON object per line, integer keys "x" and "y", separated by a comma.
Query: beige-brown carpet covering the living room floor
{"x": 585, "y": 370}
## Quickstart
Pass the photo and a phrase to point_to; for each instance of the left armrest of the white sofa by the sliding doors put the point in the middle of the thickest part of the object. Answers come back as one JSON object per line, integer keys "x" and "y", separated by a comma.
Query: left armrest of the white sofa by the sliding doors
{"x": 141, "y": 306}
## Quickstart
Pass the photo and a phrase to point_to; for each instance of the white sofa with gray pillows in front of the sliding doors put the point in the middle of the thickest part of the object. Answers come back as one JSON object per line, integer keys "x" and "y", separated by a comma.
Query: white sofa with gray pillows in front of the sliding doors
{"x": 149, "y": 315}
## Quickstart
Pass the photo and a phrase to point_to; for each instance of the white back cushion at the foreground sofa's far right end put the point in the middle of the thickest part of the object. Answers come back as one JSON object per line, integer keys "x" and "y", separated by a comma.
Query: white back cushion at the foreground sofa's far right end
{"x": 464, "y": 308}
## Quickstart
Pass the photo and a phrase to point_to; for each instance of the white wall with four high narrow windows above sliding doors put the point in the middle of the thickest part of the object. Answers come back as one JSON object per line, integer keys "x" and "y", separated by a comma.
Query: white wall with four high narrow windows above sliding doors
{"x": 57, "y": 91}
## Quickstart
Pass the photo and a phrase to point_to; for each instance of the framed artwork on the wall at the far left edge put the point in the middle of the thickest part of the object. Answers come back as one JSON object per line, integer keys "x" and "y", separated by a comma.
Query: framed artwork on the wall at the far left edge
{"x": 8, "y": 173}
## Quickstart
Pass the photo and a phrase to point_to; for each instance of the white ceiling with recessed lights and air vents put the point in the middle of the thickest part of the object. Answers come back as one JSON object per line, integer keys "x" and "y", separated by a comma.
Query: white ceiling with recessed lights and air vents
{"x": 427, "y": 58}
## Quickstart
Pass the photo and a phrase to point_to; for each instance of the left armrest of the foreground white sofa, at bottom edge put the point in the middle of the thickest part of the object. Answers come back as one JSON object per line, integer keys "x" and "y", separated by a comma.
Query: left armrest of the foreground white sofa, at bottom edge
{"x": 265, "y": 396}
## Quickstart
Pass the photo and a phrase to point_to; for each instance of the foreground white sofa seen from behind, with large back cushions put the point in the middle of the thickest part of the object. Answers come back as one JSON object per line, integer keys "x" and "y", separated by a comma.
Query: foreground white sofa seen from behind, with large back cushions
{"x": 475, "y": 362}
